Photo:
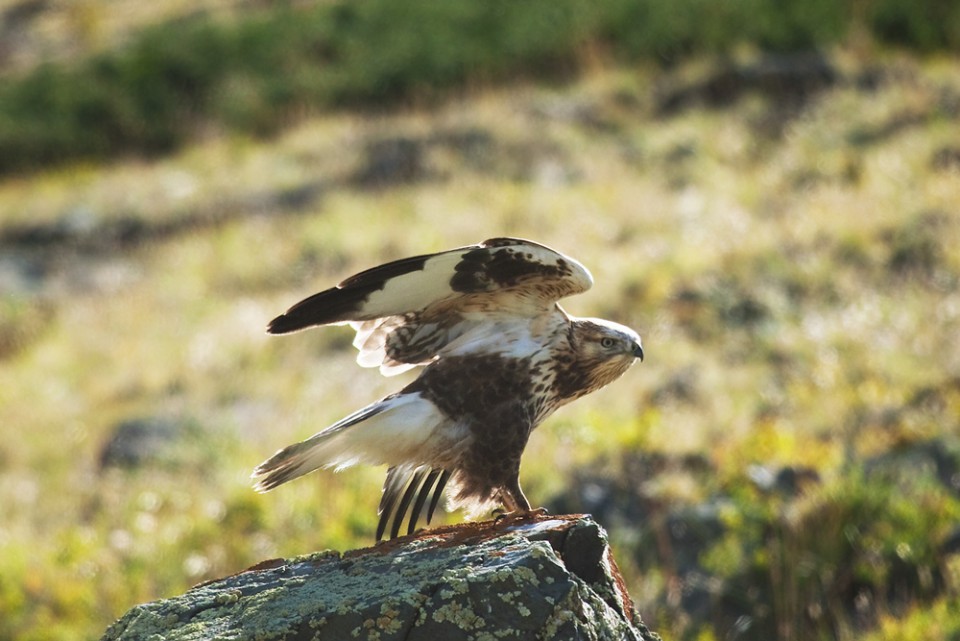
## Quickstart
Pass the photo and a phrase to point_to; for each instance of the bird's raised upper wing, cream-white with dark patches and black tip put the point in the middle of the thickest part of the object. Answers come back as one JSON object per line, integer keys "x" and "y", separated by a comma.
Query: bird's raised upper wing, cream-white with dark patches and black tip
{"x": 405, "y": 312}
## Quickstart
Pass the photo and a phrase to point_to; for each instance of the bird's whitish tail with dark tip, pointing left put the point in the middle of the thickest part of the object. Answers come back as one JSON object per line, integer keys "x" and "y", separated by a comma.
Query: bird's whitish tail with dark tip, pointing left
{"x": 390, "y": 431}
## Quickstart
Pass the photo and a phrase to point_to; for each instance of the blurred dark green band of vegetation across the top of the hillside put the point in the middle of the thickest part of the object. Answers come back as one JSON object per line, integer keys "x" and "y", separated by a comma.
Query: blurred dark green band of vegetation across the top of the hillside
{"x": 259, "y": 72}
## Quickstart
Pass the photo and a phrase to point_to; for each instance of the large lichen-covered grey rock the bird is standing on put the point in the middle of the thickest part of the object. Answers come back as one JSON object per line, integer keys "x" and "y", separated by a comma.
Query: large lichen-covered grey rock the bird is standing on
{"x": 548, "y": 578}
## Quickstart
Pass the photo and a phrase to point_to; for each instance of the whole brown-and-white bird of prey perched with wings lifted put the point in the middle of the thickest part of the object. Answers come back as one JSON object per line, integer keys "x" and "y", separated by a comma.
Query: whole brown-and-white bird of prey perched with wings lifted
{"x": 499, "y": 355}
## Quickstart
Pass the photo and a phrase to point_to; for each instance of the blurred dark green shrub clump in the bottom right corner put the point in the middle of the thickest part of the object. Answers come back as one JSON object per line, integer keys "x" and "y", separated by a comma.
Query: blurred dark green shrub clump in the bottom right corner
{"x": 855, "y": 550}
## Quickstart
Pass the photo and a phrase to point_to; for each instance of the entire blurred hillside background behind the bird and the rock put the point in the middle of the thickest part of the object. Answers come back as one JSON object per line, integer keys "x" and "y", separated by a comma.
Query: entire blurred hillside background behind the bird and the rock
{"x": 767, "y": 191}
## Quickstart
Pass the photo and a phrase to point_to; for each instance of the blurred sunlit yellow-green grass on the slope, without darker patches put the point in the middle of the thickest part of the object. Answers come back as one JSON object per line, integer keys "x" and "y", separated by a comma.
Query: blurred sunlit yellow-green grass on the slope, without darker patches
{"x": 798, "y": 279}
